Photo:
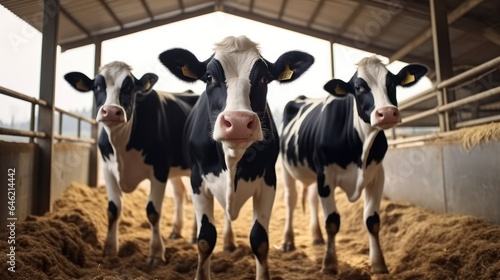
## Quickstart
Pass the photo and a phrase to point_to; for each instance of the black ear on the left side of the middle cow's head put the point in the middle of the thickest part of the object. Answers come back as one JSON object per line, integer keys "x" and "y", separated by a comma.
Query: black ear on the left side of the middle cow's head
{"x": 183, "y": 64}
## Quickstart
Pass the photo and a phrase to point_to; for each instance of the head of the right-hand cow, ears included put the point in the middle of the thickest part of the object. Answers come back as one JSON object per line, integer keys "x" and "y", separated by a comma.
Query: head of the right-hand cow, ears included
{"x": 374, "y": 89}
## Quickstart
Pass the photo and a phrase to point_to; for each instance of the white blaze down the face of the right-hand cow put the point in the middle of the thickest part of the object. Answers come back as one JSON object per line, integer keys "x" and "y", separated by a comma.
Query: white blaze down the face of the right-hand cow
{"x": 374, "y": 72}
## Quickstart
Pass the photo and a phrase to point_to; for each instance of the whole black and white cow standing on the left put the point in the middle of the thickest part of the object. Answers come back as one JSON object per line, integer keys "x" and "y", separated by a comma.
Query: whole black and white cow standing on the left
{"x": 140, "y": 139}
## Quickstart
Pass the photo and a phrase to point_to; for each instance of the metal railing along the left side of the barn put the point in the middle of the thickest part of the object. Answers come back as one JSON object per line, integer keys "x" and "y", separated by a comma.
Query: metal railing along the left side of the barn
{"x": 32, "y": 133}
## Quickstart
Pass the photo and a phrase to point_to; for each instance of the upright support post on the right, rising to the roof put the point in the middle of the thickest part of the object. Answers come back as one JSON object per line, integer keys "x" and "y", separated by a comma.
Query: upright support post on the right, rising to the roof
{"x": 442, "y": 58}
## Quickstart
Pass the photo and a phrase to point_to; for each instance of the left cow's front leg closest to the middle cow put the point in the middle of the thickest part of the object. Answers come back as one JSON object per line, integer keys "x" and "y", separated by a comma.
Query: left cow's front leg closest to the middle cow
{"x": 153, "y": 211}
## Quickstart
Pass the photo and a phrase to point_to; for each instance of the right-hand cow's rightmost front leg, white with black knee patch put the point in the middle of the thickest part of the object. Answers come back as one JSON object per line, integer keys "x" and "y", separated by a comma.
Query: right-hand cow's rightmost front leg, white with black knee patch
{"x": 373, "y": 196}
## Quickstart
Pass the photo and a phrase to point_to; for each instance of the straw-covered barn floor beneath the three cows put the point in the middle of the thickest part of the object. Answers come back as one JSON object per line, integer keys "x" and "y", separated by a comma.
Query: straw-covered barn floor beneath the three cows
{"x": 67, "y": 242}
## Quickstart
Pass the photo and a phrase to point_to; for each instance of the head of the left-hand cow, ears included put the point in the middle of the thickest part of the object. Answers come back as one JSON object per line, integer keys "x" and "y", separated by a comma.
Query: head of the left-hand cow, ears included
{"x": 115, "y": 90}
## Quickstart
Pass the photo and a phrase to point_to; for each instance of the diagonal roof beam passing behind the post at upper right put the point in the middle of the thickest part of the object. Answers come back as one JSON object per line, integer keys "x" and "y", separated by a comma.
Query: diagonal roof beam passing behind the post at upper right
{"x": 427, "y": 34}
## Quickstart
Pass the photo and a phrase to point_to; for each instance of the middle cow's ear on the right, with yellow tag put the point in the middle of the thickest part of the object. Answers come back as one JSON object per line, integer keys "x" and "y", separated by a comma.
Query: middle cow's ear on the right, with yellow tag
{"x": 290, "y": 66}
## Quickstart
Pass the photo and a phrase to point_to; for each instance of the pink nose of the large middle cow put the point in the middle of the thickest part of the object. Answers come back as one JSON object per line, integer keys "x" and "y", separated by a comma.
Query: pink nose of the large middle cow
{"x": 237, "y": 125}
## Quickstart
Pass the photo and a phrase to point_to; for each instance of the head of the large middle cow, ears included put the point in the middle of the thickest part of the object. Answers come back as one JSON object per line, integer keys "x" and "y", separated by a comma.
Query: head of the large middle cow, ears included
{"x": 236, "y": 78}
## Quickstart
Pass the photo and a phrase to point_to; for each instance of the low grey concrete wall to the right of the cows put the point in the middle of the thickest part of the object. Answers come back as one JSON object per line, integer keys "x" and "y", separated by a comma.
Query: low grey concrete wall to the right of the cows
{"x": 447, "y": 178}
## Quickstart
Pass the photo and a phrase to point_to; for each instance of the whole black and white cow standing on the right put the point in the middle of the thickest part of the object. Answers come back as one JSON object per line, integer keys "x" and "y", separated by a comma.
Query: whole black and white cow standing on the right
{"x": 339, "y": 141}
